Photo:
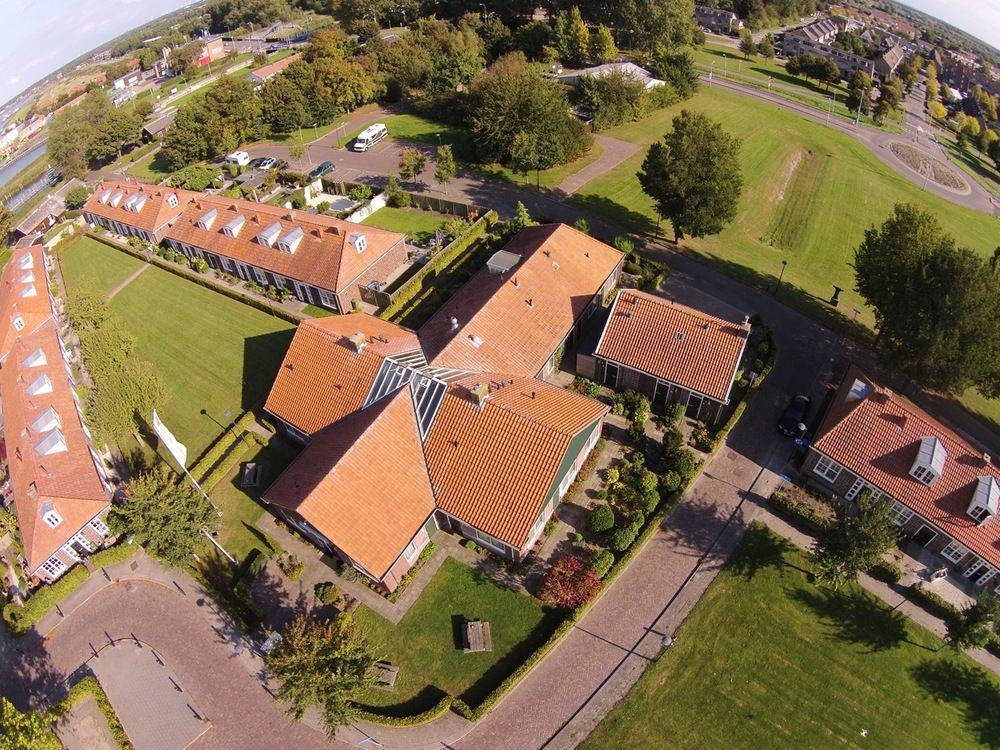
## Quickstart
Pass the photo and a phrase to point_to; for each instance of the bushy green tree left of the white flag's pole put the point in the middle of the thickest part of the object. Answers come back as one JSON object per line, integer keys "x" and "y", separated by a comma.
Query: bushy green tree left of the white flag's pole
{"x": 165, "y": 514}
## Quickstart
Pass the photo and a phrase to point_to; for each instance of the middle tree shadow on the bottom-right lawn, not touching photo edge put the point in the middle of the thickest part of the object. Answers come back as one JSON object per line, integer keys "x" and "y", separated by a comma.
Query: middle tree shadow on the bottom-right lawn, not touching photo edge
{"x": 857, "y": 617}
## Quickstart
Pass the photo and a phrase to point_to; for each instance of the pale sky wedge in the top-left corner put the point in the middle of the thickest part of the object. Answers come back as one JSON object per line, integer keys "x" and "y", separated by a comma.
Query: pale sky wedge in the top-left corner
{"x": 43, "y": 35}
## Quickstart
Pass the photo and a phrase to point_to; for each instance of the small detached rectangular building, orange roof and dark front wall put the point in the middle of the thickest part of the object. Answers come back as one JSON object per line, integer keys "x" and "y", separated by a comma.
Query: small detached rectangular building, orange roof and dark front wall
{"x": 670, "y": 352}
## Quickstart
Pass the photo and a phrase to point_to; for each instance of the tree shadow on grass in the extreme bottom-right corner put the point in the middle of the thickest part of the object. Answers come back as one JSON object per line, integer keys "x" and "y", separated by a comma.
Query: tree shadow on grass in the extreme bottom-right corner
{"x": 969, "y": 686}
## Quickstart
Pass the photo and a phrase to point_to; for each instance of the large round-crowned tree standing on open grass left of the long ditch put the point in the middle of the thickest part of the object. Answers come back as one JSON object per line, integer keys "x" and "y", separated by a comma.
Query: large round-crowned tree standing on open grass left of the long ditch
{"x": 694, "y": 176}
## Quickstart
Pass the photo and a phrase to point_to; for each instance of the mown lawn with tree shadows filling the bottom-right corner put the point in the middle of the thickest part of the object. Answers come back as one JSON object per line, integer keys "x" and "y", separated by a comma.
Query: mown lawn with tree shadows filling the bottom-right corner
{"x": 770, "y": 660}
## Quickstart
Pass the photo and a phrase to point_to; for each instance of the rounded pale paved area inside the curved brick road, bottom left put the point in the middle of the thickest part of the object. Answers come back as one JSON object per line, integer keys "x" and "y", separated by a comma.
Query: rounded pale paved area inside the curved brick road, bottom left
{"x": 151, "y": 703}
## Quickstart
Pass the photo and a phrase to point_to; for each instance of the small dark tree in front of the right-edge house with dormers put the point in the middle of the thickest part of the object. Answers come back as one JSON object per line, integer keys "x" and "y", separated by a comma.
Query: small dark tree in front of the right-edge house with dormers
{"x": 857, "y": 539}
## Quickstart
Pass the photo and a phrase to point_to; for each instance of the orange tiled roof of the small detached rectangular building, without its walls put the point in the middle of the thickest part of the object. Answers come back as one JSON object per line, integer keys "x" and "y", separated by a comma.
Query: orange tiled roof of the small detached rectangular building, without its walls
{"x": 673, "y": 342}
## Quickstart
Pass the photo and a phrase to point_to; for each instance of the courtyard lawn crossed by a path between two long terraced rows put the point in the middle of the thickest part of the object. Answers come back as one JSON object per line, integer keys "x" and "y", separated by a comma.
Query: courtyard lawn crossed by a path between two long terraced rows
{"x": 212, "y": 352}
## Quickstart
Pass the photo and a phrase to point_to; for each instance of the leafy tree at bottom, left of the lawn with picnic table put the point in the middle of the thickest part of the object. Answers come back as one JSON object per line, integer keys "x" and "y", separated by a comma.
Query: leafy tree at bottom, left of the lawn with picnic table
{"x": 323, "y": 664}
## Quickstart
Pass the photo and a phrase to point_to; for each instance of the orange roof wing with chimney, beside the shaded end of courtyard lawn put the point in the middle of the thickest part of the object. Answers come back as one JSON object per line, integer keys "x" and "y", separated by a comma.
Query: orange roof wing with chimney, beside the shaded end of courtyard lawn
{"x": 322, "y": 378}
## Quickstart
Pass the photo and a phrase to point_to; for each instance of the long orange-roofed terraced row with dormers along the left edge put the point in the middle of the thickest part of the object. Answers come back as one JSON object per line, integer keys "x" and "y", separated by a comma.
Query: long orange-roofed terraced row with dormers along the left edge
{"x": 57, "y": 482}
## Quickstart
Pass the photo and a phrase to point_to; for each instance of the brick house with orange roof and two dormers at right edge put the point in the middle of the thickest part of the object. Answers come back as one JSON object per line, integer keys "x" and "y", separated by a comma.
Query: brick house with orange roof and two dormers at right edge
{"x": 945, "y": 491}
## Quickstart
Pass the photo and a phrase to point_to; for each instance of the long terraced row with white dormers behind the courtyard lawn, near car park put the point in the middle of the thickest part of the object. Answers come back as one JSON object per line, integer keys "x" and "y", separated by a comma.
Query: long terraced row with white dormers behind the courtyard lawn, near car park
{"x": 318, "y": 259}
